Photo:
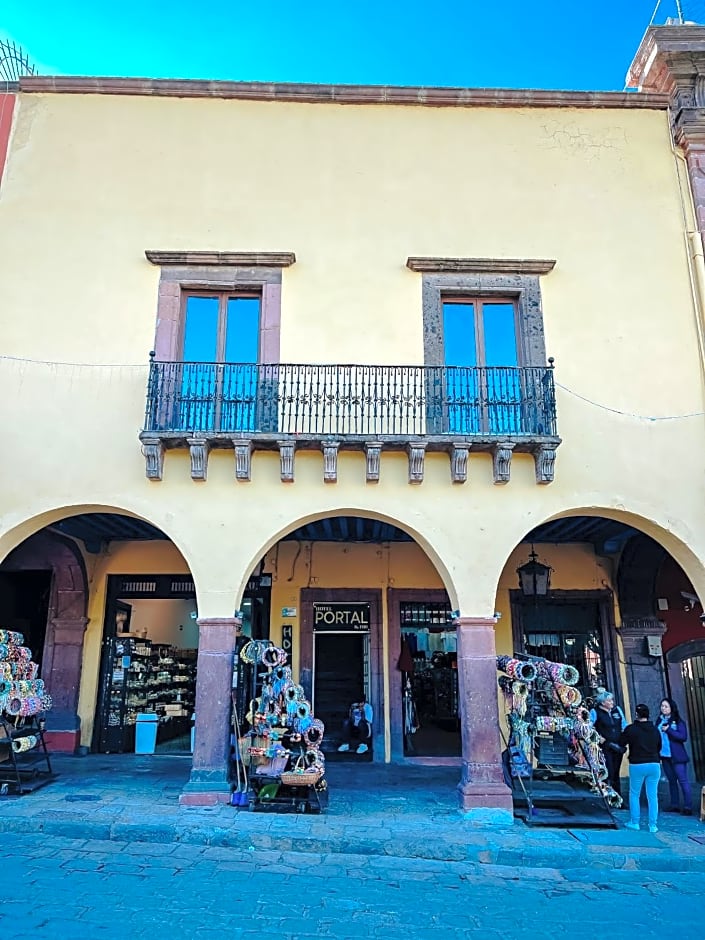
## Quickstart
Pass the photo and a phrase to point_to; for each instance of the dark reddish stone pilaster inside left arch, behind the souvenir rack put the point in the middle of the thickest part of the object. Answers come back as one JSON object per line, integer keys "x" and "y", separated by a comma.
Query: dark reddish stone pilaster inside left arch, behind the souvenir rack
{"x": 62, "y": 678}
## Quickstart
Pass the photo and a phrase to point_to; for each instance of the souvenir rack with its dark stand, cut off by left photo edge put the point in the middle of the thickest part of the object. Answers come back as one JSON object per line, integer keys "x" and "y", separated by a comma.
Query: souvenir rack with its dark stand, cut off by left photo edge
{"x": 24, "y": 759}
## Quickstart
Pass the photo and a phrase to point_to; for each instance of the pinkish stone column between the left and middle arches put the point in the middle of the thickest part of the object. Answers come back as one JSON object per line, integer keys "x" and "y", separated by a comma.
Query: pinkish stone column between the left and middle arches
{"x": 210, "y": 781}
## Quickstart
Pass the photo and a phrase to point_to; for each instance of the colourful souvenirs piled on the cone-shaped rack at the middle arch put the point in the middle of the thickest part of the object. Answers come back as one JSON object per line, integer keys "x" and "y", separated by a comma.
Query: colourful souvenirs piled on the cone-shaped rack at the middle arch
{"x": 284, "y": 739}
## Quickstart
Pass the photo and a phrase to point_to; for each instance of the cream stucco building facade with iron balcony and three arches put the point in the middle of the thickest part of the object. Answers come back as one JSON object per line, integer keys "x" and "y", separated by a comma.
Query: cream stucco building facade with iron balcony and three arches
{"x": 355, "y": 219}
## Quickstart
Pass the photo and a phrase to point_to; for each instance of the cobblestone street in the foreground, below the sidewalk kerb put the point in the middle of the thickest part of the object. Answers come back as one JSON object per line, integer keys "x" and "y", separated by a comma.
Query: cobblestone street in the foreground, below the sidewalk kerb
{"x": 68, "y": 889}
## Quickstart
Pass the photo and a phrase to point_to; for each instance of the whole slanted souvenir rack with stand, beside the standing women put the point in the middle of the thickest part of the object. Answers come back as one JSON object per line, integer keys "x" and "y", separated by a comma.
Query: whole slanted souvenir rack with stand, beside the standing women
{"x": 550, "y": 731}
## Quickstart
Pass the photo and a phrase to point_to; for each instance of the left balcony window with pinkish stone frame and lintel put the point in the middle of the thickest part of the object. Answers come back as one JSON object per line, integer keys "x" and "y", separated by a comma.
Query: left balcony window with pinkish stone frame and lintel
{"x": 217, "y": 339}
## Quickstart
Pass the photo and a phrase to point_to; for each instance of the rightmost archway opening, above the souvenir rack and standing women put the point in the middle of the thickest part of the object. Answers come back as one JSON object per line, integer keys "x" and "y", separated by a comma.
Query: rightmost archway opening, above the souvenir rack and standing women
{"x": 618, "y": 606}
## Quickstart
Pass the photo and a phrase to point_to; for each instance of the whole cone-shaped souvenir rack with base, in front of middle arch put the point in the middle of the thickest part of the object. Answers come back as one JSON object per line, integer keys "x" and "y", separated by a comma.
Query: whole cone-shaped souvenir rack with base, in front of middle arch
{"x": 278, "y": 762}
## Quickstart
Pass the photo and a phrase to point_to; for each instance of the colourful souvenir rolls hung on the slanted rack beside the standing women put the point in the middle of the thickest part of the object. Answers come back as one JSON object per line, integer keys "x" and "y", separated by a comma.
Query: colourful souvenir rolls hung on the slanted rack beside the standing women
{"x": 556, "y": 708}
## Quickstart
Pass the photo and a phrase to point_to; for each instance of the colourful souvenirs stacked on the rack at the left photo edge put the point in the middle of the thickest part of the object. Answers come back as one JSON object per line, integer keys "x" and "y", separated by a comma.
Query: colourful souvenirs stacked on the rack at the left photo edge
{"x": 22, "y": 694}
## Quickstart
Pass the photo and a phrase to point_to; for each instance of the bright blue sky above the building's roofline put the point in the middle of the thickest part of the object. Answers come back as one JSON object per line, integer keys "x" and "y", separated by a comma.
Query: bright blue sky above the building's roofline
{"x": 574, "y": 44}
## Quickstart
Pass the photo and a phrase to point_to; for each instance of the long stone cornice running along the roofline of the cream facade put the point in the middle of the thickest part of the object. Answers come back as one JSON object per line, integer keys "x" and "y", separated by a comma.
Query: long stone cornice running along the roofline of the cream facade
{"x": 341, "y": 94}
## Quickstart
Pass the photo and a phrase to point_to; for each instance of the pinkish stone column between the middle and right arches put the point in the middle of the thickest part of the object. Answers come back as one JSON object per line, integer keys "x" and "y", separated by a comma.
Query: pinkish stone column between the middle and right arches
{"x": 482, "y": 789}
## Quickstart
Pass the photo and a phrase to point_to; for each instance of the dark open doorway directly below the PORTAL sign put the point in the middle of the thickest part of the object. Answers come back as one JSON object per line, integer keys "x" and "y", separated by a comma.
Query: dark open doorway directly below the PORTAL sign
{"x": 341, "y": 676}
